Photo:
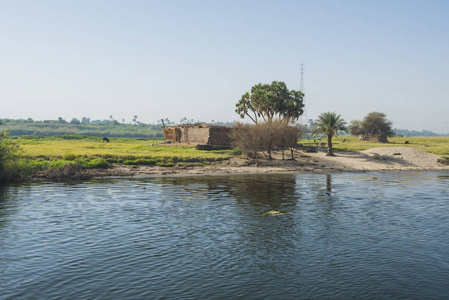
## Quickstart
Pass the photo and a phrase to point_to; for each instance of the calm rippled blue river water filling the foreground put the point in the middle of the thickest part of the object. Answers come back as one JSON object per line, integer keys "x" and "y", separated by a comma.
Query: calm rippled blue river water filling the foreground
{"x": 356, "y": 235}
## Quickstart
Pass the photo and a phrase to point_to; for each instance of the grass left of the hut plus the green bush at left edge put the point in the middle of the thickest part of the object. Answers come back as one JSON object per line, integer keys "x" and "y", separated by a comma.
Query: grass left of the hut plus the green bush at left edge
{"x": 29, "y": 156}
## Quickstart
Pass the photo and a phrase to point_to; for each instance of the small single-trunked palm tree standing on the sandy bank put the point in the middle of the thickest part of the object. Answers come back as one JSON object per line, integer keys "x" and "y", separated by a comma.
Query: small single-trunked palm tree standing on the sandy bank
{"x": 329, "y": 124}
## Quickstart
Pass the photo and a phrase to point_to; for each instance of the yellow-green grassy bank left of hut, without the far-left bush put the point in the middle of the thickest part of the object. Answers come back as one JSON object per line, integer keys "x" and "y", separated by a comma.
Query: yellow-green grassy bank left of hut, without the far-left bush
{"x": 89, "y": 153}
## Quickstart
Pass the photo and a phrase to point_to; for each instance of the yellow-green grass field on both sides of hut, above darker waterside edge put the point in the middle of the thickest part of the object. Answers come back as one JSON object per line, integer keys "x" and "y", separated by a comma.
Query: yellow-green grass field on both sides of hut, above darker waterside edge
{"x": 54, "y": 148}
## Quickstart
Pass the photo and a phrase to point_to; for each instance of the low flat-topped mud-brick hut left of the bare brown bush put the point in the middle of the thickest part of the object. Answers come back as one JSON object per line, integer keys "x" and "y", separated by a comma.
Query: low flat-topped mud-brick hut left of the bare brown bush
{"x": 200, "y": 134}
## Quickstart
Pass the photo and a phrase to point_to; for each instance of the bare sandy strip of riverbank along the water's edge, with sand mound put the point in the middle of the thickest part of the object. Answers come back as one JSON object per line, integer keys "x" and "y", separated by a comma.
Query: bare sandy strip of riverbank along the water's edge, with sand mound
{"x": 377, "y": 159}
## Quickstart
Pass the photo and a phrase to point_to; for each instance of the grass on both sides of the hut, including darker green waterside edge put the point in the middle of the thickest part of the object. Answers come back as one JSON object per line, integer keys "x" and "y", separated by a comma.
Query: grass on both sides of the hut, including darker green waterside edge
{"x": 92, "y": 152}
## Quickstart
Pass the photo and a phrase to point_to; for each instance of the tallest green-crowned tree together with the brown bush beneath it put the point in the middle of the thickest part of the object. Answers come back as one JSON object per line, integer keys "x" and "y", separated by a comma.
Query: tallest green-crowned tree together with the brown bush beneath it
{"x": 274, "y": 109}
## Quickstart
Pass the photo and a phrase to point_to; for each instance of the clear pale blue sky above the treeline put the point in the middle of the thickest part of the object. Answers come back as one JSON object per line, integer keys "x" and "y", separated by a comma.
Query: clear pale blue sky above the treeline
{"x": 195, "y": 59}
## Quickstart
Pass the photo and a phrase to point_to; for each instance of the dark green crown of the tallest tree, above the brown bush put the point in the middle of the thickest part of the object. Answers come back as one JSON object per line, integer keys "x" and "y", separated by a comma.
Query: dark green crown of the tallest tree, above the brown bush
{"x": 268, "y": 101}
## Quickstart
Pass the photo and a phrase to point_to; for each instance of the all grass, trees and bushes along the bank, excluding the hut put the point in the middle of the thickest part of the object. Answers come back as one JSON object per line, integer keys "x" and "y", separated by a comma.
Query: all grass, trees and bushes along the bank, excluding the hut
{"x": 72, "y": 147}
